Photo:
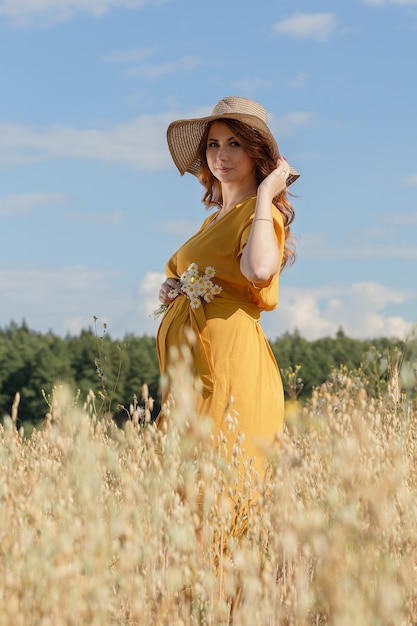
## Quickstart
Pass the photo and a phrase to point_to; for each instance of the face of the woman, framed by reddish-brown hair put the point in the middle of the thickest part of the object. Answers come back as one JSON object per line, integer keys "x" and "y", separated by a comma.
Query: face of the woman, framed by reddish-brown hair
{"x": 226, "y": 158}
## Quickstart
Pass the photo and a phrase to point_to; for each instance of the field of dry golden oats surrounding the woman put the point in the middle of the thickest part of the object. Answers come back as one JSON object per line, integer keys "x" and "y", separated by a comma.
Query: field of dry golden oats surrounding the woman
{"x": 101, "y": 525}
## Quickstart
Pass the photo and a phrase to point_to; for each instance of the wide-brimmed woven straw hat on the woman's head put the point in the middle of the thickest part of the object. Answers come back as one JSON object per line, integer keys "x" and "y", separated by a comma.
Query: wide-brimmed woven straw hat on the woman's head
{"x": 184, "y": 136}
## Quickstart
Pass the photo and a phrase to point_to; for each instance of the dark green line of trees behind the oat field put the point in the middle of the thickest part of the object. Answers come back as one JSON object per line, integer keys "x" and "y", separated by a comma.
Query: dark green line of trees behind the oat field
{"x": 33, "y": 363}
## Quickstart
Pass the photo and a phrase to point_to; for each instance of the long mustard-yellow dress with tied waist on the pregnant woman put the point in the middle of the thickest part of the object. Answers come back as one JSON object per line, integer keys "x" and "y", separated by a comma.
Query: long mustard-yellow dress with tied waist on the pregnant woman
{"x": 232, "y": 358}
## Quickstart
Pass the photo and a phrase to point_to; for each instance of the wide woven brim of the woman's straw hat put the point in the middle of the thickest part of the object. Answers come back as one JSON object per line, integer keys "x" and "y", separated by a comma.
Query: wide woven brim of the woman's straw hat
{"x": 184, "y": 139}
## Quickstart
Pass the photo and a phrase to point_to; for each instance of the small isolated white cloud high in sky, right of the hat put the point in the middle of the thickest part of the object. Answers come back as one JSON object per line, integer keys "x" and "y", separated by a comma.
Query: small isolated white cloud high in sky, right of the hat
{"x": 308, "y": 25}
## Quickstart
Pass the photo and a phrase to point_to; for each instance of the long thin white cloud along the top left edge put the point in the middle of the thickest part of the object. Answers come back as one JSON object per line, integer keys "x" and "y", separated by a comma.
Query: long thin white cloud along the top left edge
{"x": 25, "y": 11}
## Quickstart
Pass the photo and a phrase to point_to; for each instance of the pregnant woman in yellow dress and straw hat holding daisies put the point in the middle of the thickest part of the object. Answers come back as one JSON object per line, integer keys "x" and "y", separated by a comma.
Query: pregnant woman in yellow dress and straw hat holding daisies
{"x": 222, "y": 278}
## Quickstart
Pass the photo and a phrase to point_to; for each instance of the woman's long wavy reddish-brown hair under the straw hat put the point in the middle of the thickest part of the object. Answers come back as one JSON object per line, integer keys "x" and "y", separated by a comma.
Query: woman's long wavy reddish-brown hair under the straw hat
{"x": 257, "y": 147}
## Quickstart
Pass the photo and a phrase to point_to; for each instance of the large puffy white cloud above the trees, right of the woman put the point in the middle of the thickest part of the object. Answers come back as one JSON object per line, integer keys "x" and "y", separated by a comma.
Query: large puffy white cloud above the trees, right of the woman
{"x": 359, "y": 309}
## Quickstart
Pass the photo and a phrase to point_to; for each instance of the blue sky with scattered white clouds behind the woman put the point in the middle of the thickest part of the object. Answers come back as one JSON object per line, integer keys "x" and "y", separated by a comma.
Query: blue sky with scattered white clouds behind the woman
{"x": 91, "y": 206}
